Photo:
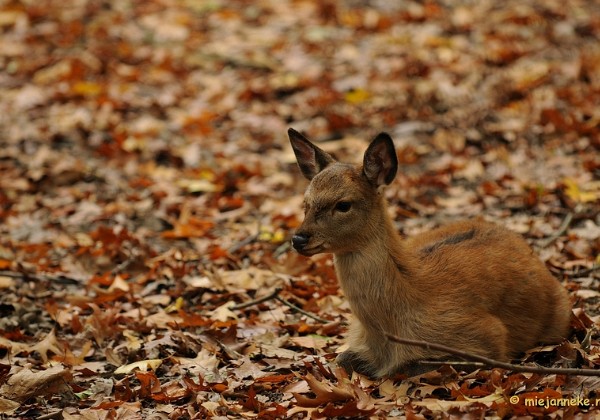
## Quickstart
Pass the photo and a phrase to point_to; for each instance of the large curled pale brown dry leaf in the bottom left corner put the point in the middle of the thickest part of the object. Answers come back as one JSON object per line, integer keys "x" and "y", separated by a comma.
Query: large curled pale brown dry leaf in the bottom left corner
{"x": 26, "y": 383}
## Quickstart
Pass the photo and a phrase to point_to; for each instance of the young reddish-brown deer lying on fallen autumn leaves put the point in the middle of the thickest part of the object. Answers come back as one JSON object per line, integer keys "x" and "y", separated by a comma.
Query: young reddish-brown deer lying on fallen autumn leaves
{"x": 471, "y": 285}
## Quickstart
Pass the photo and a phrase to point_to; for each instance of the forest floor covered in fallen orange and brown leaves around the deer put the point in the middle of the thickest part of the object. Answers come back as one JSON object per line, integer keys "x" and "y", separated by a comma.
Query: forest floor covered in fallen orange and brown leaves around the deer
{"x": 148, "y": 191}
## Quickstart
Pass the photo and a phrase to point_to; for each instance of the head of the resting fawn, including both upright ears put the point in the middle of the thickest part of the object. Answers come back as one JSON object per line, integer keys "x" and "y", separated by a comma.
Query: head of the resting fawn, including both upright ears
{"x": 343, "y": 203}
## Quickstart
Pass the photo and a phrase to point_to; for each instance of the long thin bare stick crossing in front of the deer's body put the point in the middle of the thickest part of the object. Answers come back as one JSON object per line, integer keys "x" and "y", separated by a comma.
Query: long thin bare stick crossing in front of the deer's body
{"x": 491, "y": 362}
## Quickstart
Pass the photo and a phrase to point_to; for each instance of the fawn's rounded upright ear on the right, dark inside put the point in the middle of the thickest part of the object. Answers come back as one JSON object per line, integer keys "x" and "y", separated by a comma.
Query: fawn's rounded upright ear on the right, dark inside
{"x": 380, "y": 163}
